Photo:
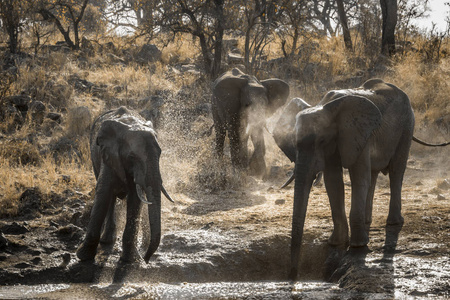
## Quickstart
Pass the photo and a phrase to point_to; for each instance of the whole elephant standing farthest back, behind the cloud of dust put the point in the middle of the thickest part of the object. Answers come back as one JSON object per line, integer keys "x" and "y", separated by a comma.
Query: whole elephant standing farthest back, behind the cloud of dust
{"x": 240, "y": 105}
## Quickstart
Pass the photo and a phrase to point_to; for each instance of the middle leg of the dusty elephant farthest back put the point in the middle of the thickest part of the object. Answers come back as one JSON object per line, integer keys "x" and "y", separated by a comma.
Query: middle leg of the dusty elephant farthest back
{"x": 238, "y": 146}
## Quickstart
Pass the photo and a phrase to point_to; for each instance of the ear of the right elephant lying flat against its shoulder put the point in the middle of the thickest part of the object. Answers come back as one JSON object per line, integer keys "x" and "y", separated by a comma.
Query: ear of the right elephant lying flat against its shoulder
{"x": 356, "y": 119}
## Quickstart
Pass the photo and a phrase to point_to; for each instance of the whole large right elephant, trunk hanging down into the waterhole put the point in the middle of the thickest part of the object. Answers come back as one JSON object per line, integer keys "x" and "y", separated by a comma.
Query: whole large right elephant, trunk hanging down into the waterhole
{"x": 366, "y": 130}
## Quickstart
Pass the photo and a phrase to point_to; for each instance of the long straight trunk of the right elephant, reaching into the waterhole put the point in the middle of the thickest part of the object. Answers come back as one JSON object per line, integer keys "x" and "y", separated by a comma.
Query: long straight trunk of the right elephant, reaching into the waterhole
{"x": 304, "y": 177}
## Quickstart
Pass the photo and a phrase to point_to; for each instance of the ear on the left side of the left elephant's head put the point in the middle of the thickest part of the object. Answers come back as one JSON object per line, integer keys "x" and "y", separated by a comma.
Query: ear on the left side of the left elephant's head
{"x": 109, "y": 144}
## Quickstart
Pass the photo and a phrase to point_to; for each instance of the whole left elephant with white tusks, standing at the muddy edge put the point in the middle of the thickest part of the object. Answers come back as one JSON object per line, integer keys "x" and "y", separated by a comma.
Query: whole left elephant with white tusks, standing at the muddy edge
{"x": 125, "y": 157}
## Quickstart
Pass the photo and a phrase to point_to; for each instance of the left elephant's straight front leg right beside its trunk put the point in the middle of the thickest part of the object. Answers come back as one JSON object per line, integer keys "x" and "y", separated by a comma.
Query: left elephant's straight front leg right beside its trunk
{"x": 129, "y": 251}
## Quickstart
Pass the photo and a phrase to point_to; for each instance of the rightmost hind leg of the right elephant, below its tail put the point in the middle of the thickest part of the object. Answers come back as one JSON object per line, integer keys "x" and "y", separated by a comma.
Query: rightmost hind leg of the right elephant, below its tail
{"x": 397, "y": 168}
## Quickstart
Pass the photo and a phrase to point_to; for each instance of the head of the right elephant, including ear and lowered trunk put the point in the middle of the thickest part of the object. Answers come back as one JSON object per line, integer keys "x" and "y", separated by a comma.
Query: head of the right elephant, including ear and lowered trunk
{"x": 338, "y": 130}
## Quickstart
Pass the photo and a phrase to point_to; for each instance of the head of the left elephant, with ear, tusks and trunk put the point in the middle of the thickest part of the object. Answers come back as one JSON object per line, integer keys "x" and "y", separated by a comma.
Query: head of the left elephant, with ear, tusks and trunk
{"x": 131, "y": 150}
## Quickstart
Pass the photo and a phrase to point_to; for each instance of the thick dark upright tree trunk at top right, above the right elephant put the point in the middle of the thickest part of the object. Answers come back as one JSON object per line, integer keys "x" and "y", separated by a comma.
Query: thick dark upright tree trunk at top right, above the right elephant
{"x": 389, "y": 15}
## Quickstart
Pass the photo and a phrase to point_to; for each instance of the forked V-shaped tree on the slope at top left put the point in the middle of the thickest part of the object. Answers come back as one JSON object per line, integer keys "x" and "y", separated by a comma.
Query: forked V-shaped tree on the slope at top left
{"x": 66, "y": 15}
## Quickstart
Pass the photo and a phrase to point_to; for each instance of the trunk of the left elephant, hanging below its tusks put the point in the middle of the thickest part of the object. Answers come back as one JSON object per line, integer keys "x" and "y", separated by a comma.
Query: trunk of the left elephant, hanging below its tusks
{"x": 154, "y": 217}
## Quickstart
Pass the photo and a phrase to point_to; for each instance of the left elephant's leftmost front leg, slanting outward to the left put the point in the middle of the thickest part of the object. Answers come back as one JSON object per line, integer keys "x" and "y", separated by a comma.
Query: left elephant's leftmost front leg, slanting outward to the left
{"x": 104, "y": 196}
